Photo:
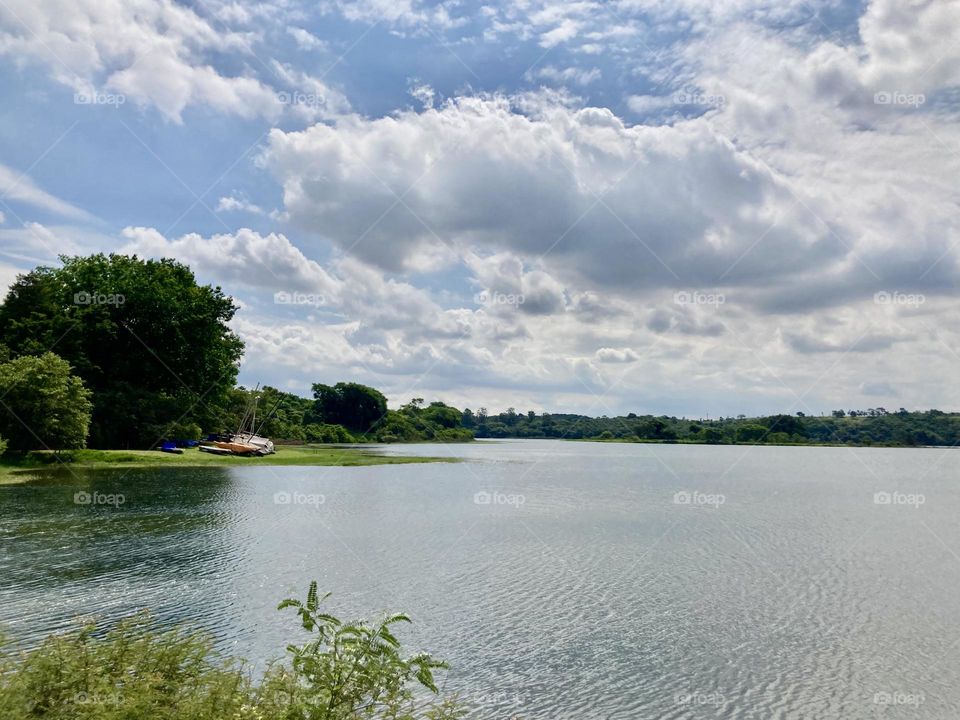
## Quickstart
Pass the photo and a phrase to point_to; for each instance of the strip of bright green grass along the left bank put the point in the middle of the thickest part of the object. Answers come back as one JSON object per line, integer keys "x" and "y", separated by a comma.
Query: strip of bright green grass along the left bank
{"x": 14, "y": 470}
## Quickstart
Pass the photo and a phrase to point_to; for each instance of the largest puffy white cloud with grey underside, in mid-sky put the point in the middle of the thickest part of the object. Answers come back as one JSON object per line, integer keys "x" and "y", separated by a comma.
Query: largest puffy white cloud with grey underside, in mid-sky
{"x": 624, "y": 207}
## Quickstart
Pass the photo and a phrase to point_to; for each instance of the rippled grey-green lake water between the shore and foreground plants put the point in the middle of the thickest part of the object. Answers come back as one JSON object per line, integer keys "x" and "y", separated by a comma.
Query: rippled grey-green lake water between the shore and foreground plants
{"x": 775, "y": 585}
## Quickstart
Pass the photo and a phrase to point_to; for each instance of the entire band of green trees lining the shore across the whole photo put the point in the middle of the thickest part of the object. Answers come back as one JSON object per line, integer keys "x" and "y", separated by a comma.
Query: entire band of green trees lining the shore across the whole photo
{"x": 114, "y": 351}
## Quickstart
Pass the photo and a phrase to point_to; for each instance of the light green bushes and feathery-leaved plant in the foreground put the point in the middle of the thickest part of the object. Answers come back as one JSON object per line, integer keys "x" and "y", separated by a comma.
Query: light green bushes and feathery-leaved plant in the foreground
{"x": 136, "y": 671}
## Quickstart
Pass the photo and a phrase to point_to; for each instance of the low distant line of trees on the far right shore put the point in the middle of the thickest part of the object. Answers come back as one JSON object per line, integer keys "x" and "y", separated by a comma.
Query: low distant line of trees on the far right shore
{"x": 875, "y": 426}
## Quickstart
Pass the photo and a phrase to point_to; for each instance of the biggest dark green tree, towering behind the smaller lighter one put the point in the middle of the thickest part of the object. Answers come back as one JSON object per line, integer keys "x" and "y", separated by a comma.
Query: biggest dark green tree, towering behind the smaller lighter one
{"x": 149, "y": 341}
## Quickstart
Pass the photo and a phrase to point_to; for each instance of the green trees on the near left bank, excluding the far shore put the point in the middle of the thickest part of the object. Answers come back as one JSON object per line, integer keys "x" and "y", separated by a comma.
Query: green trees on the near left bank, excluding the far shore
{"x": 114, "y": 351}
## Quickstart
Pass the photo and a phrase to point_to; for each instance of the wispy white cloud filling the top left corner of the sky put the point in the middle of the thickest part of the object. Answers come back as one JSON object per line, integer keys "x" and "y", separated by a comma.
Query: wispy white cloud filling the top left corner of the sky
{"x": 156, "y": 53}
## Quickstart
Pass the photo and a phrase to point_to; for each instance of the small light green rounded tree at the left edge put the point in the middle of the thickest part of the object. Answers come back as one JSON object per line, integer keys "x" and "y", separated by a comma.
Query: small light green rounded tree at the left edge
{"x": 43, "y": 406}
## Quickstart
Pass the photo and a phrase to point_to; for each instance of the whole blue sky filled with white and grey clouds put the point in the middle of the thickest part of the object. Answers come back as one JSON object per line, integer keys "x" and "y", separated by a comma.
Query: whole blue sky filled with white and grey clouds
{"x": 683, "y": 207}
